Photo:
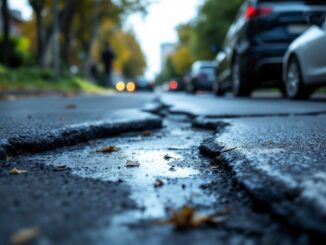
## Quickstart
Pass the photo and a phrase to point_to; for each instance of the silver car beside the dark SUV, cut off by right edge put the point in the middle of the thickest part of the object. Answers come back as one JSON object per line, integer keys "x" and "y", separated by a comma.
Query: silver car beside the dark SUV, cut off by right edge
{"x": 304, "y": 66}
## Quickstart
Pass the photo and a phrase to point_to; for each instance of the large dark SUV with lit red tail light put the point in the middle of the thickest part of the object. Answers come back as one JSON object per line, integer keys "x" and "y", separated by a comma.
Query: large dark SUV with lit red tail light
{"x": 255, "y": 44}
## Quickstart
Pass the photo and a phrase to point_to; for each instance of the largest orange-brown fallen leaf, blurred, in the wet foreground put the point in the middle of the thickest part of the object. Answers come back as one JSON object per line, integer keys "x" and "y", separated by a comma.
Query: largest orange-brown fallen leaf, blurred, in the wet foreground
{"x": 188, "y": 218}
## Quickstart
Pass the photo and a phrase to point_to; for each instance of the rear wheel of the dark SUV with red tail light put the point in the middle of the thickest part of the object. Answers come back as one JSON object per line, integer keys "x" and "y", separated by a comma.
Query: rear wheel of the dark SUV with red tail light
{"x": 240, "y": 84}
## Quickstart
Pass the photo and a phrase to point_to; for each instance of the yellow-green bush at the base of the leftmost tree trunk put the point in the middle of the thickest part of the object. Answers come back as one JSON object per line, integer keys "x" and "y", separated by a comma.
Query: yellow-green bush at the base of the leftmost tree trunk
{"x": 18, "y": 52}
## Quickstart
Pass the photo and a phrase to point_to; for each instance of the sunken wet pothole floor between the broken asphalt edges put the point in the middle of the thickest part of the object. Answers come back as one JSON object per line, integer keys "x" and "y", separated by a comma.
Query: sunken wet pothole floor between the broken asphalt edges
{"x": 111, "y": 203}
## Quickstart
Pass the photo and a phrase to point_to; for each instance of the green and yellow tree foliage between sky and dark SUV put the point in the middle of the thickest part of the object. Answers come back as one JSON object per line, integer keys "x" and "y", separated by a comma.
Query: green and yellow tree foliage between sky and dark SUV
{"x": 197, "y": 38}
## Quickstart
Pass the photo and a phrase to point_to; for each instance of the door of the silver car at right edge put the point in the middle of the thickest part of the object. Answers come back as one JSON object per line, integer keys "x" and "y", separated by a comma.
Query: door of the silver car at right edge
{"x": 315, "y": 55}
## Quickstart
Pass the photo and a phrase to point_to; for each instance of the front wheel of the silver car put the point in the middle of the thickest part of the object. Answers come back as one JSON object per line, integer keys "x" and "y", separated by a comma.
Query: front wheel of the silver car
{"x": 295, "y": 89}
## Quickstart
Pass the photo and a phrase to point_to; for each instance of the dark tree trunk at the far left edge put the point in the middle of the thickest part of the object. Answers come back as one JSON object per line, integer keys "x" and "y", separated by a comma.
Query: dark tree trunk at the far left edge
{"x": 6, "y": 30}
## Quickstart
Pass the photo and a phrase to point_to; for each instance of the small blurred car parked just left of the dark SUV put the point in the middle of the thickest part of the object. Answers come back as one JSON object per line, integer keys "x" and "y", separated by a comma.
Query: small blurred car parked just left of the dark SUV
{"x": 201, "y": 76}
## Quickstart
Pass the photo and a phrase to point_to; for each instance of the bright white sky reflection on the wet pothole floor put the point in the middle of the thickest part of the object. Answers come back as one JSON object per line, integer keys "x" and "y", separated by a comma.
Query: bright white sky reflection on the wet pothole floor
{"x": 155, "y": 164}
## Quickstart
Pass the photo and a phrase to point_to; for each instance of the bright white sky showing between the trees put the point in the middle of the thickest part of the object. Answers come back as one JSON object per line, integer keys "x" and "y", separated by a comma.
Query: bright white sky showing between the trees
{"x": 157, "y": 27}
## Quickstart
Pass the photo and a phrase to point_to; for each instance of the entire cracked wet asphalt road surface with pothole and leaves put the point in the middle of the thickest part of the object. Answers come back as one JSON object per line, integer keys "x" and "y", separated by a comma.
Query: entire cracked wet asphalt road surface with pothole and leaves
{"x": 125, "y": 169}
